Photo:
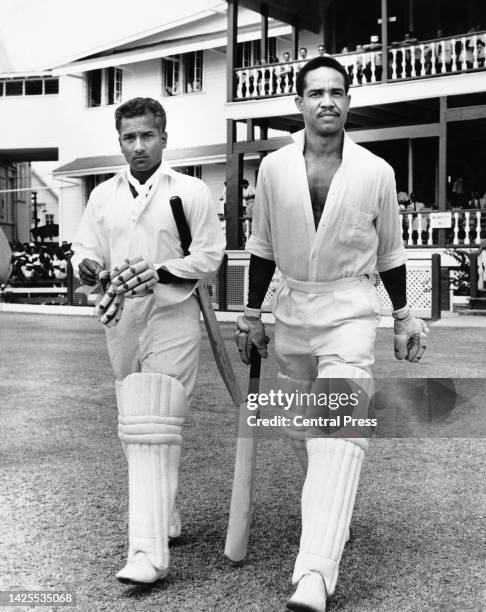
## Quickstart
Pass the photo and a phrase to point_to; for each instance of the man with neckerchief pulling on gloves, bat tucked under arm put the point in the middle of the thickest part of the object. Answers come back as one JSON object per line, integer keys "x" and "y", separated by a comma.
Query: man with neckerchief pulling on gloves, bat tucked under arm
{"x": 128, "y": 238}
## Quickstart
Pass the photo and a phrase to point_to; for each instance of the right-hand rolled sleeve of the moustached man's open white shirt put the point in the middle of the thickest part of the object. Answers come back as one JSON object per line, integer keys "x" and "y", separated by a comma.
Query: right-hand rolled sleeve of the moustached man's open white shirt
{"x": 391, "y": 252}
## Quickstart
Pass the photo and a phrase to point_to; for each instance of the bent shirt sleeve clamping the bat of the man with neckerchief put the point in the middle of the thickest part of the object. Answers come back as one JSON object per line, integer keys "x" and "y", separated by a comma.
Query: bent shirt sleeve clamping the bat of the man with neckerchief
{"x": 208, "y": 239}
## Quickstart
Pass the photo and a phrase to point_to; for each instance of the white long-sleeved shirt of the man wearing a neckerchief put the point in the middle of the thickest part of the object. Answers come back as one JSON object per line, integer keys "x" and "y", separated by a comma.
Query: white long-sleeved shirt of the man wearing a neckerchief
{"x": 116, "y": 225}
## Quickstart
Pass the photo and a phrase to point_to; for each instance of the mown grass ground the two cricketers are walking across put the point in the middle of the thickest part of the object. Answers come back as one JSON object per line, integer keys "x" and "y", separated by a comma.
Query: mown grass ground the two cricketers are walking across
{"x": 417, "y": 531}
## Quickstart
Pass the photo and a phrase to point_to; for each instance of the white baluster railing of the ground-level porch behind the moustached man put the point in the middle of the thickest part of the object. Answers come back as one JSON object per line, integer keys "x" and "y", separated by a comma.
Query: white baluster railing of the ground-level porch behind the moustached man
{"x": 468, "y": 228}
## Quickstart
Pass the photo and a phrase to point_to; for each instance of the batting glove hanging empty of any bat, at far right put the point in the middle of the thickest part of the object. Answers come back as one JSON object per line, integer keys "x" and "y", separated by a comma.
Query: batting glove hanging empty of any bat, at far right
{"x": 411, "y": 332}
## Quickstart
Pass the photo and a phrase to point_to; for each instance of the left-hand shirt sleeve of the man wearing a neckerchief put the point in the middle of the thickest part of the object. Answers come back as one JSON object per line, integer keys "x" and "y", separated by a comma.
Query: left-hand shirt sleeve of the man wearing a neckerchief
{"x": 88, "y": 241}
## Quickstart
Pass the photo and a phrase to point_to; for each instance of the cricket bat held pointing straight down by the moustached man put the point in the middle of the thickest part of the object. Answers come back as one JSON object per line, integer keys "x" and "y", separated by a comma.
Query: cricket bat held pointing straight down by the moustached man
{"x": 243, "y": 493}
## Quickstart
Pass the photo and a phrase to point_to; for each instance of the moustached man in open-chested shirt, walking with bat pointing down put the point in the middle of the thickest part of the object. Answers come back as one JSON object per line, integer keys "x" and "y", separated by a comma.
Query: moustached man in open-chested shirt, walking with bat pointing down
{"x": 326, "y": 214}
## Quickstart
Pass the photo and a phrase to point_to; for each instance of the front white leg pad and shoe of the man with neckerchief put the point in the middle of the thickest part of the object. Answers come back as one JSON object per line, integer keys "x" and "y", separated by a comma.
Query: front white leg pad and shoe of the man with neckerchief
{"x": 151, "y": 414}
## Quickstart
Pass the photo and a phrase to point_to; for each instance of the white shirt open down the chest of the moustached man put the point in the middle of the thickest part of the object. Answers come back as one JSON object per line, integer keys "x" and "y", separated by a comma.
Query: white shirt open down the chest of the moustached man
{"x": 359, "y": 231}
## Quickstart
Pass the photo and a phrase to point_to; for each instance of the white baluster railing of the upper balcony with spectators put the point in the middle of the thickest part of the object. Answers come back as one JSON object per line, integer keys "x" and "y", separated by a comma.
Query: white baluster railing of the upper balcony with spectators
{"x": 411, "y": 60}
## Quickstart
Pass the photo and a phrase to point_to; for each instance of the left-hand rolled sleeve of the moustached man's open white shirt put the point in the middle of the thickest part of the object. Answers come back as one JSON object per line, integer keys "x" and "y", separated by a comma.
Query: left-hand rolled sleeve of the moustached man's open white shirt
{"x": 260, "y": 241}
